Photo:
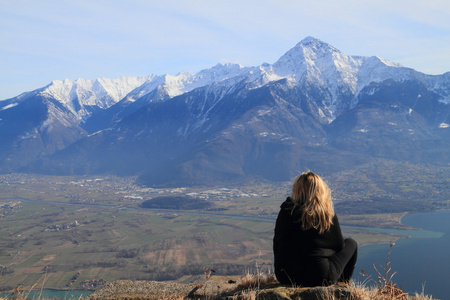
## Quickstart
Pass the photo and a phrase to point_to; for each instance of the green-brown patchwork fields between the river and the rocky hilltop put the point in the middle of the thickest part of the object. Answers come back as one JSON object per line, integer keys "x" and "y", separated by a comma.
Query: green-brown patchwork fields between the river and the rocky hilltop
{"x": 114, "y": 244}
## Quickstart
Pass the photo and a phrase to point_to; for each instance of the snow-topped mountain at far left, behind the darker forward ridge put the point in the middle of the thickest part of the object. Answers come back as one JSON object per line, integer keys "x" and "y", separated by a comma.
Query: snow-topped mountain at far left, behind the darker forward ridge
{"x": 48, "y": 119}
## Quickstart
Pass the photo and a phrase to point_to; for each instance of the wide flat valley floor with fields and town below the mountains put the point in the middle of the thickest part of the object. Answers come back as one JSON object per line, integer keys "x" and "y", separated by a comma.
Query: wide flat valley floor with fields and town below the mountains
{"x": 79, "y": 232}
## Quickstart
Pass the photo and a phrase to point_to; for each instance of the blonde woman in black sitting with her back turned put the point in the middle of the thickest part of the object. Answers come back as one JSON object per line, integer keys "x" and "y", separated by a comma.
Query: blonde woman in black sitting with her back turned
{"x": 308, "y": 245}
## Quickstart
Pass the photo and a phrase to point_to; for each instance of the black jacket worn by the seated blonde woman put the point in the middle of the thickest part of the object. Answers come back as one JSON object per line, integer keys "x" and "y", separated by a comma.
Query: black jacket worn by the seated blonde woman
{"x": 301, "y": 257}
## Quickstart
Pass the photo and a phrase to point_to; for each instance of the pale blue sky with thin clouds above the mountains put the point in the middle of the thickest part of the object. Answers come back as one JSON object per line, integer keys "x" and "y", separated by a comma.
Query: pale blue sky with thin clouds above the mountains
{"x": 46, "y": 40}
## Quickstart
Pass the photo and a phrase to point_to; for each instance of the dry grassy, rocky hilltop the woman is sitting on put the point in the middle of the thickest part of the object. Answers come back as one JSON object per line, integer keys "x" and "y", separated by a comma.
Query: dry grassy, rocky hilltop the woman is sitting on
{"x": 246, "y": 288}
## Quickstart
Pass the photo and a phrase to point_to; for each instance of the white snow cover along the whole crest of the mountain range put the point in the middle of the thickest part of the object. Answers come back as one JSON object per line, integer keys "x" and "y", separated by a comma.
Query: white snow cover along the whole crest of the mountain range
{"x": 310, "y": 61}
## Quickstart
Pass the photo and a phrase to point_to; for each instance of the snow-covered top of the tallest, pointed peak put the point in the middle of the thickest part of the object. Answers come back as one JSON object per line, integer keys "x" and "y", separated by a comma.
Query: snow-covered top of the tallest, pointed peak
{"x": 314, "y": 60}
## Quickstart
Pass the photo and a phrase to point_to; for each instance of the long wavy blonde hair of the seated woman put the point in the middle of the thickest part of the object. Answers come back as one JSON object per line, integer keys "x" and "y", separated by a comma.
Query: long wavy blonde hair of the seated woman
{"x": 313, "y": 195}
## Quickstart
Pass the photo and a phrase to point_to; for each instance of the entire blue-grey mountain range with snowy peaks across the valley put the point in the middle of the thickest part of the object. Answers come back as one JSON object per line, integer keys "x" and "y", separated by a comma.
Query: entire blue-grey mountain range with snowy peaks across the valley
{"x": 315, "y": 108}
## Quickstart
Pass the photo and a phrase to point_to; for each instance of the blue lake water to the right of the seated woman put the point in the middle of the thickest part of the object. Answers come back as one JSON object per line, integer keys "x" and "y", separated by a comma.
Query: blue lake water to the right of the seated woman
{"x": 422, "y": 262}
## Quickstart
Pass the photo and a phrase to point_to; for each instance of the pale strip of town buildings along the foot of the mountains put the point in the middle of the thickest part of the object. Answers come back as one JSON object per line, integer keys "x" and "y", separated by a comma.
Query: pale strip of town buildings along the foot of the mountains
{"x": 113, "y": 190}
